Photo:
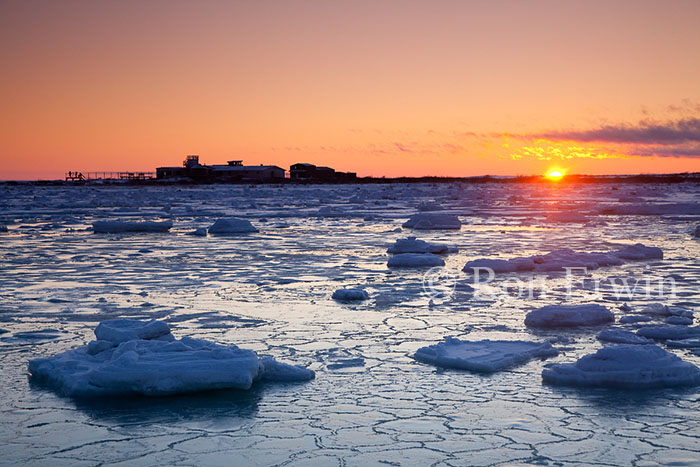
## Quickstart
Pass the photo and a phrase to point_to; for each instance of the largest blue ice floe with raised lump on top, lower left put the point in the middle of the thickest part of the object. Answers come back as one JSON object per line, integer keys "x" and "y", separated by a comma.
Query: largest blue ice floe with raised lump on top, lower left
{"x": 138, "y": 357}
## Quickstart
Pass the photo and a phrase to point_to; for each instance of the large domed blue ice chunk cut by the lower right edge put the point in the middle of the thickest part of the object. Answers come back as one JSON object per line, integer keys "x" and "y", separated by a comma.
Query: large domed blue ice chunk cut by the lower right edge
{"x": 625, "y": 366}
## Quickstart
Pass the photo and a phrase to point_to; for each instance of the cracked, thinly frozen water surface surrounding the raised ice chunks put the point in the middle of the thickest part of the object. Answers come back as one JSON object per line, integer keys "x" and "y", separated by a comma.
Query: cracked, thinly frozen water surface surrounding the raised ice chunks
{"x": 270, "y": 291}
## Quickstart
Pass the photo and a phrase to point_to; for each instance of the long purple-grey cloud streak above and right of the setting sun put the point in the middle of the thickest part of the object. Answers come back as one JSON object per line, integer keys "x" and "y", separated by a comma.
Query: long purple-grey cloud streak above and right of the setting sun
{"x": 681, "y": 131}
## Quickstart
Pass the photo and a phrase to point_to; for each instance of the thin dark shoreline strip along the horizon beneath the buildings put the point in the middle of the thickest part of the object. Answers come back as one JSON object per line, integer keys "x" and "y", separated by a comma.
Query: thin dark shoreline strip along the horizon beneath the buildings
{"x": 687, "y": 177}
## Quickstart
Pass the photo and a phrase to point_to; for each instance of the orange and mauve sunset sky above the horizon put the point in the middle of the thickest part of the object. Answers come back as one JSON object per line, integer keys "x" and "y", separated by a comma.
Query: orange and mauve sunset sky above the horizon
{"x": 389, "y": 88}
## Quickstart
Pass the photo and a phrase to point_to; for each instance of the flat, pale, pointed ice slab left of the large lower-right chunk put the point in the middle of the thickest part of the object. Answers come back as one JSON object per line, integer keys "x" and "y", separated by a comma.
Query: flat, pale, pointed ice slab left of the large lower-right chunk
{"x": 484, "y": 356}
